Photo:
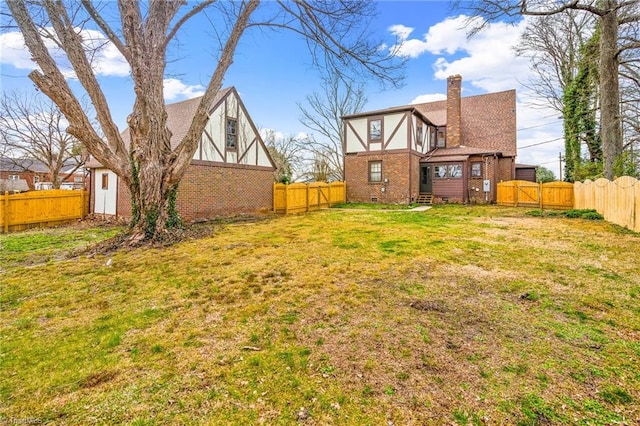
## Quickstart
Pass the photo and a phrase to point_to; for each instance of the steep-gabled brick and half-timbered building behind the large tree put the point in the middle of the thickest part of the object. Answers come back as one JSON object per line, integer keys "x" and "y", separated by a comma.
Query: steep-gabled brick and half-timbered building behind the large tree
{"x": 231, "y": 171}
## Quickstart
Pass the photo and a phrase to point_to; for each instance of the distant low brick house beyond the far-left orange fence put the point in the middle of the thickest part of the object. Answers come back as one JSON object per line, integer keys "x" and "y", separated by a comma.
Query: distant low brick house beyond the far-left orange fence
{"x": 37, "y": 175}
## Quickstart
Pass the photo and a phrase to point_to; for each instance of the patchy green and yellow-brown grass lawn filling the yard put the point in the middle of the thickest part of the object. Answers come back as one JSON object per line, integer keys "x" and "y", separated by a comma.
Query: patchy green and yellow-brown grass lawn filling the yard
{"x": 457, "y": 315}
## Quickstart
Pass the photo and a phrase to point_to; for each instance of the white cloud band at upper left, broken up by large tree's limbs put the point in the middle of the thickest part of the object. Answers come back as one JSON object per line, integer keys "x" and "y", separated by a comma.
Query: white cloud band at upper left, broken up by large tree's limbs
{"x": 106, "y": 60}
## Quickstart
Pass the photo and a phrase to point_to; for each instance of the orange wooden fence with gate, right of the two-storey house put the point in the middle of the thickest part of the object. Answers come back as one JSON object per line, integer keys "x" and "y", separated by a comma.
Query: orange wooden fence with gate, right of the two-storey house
{"x": 550, "y": 195}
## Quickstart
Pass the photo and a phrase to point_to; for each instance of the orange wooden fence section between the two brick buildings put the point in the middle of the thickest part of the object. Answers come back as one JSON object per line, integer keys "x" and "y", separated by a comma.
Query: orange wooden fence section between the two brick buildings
{"x": 305, "y": 197}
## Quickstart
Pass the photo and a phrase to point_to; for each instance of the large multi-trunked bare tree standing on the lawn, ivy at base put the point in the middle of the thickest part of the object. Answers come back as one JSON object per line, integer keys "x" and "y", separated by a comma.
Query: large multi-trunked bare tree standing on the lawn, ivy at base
{"x": 147, "y": 163}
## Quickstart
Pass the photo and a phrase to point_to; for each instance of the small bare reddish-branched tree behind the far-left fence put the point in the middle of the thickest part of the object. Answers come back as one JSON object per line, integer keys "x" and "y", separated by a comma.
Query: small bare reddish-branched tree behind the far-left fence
{"x": 34, "y": 129}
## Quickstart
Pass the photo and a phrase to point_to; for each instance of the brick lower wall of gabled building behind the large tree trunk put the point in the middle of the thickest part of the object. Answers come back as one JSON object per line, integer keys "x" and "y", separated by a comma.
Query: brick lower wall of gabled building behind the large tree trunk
{"x": 208, "y": 191}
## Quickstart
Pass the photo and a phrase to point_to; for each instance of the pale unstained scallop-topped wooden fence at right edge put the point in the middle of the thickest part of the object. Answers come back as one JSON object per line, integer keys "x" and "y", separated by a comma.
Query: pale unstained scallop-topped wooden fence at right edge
{"x": 617, "y": 201}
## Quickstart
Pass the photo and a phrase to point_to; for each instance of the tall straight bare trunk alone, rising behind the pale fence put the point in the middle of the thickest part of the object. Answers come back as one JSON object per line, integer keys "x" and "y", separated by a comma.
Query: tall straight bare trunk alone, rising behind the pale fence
{"x": 610, "y": 130}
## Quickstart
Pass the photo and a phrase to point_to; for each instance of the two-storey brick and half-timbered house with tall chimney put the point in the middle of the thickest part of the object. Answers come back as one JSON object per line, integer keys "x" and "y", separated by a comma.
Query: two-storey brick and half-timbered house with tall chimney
{"x": 454, "y": 150}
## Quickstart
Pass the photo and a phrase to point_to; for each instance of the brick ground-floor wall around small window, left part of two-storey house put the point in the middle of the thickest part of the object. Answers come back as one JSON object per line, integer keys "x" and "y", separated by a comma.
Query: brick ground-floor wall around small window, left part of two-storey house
{"x": 395, "y": 168}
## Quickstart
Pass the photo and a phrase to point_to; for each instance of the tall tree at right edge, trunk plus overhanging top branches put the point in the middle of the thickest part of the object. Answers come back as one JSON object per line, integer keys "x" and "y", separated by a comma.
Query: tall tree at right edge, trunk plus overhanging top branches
{"x": 615, "y": 17}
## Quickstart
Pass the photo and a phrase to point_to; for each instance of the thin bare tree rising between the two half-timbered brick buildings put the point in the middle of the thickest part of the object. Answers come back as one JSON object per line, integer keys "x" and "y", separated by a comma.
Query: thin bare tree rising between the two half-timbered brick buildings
{"x": 323, "y": 113}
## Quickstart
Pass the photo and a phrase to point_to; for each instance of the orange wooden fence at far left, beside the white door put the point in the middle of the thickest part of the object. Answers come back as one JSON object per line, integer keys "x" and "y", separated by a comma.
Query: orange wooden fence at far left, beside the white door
{"x": 42, "y": 208}
